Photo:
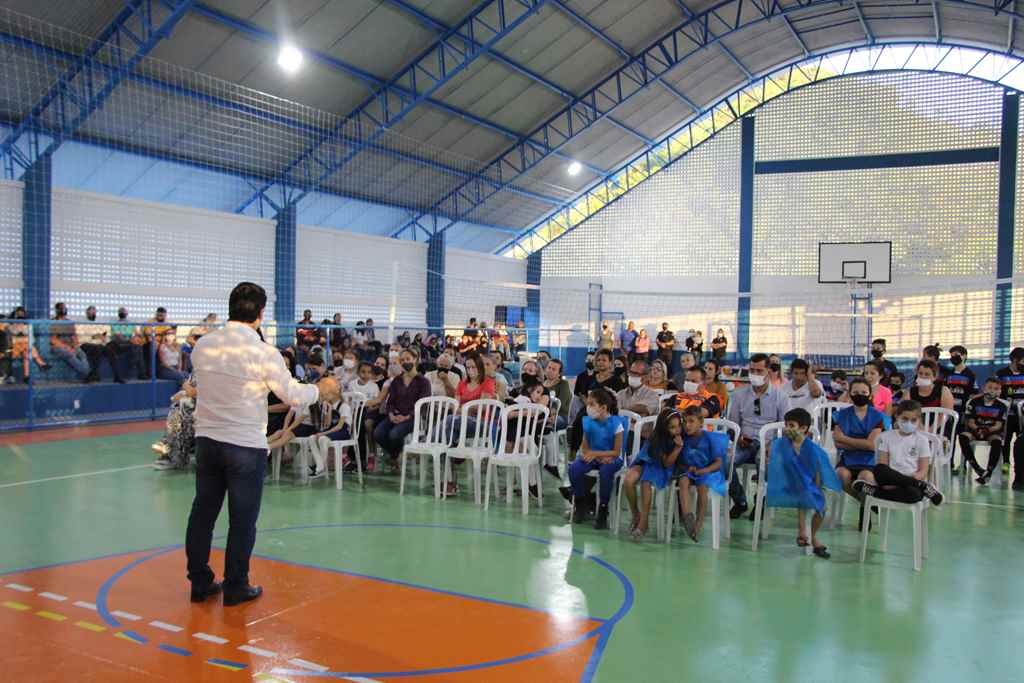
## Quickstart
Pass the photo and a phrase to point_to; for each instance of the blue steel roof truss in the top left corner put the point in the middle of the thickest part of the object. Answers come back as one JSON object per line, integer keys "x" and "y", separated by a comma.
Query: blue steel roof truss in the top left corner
{"x": 93, "y": 77}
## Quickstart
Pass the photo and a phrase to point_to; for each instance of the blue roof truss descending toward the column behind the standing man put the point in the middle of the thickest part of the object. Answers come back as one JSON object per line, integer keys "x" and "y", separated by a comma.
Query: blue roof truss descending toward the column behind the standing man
{"x": 447, "y": 58}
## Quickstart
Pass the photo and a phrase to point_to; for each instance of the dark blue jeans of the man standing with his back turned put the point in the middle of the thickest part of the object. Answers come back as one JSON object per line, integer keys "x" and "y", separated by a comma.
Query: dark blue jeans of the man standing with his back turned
{"x": 238, "y": 472}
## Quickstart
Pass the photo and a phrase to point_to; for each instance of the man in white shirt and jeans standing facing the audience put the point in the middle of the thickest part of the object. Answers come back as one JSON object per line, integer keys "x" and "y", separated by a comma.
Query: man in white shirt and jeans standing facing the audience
{"x": 235, "y": 370}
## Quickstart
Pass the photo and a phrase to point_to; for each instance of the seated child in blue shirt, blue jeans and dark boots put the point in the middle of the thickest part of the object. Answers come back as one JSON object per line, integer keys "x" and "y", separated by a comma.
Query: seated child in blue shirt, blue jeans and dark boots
{"x": 604, "y": 437}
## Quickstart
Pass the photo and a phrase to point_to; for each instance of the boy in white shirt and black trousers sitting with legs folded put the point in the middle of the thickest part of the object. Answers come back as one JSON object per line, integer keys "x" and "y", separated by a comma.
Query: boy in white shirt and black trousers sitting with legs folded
{"x": 904, "y": 456}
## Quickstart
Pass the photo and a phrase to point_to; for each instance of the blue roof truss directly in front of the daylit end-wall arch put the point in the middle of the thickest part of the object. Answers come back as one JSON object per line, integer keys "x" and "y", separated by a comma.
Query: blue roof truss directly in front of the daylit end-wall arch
{"x": 696, "y": 34}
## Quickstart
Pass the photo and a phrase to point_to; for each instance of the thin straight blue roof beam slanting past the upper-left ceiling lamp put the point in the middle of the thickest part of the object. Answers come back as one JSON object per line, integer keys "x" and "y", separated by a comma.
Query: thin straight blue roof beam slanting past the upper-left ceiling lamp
{"x": 254, "y": 32}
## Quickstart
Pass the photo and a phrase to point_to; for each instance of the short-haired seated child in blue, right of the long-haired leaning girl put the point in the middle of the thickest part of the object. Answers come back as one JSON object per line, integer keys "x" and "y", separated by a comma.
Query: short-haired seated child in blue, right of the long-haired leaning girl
{"x": 701, "y": 465}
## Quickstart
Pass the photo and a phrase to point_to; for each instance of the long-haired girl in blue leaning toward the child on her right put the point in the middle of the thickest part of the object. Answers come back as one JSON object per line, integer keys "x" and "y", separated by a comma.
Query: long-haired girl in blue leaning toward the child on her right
{"x": 654, "y": 468}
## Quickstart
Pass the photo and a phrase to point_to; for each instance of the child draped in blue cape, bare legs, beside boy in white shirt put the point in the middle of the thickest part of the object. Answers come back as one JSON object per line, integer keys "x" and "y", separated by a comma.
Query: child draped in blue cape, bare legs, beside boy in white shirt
{"x": 799, "y": 473}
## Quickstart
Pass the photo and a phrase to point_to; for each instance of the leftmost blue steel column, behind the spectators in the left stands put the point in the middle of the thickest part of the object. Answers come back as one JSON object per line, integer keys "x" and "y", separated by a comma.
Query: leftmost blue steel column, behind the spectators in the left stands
{"x": 36, "y": 237}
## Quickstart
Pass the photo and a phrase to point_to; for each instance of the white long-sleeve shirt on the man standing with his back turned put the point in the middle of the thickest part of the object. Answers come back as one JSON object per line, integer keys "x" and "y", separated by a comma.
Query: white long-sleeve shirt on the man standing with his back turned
{"x": 236, "y": 372}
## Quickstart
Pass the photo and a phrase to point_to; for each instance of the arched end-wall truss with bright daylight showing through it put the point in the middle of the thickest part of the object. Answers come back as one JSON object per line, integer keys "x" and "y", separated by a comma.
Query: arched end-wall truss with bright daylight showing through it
{"x": 968, "y": 62}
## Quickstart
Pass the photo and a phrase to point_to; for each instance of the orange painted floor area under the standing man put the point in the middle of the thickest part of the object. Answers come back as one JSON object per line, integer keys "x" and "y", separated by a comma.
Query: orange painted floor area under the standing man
{"x": 309, "y": 620}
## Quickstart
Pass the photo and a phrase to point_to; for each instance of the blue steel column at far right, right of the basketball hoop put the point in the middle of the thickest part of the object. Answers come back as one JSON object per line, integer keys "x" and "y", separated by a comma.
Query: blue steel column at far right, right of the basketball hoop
{"x": 1005, "y": 245}
